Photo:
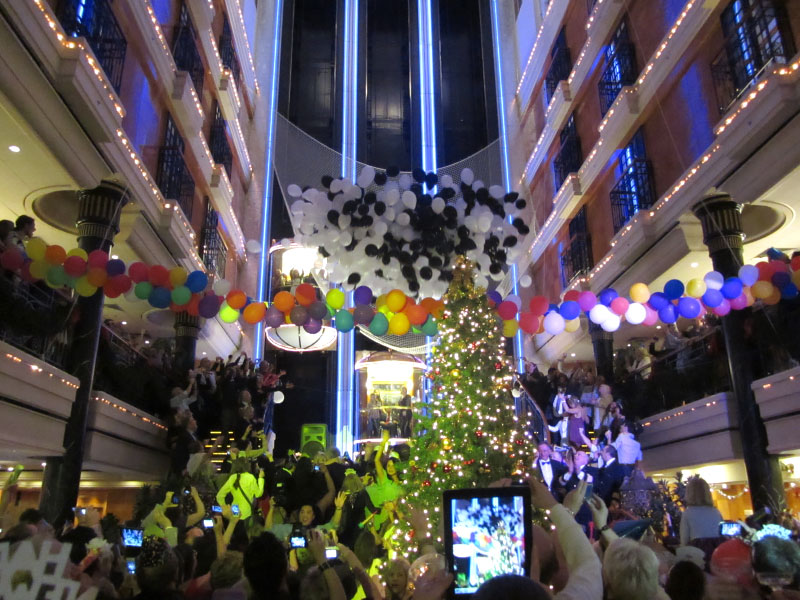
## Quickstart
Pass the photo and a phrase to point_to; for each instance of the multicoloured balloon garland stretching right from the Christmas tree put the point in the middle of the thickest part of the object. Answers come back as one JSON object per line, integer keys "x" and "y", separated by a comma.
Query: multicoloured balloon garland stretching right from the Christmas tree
{"x": 766, "y": 281}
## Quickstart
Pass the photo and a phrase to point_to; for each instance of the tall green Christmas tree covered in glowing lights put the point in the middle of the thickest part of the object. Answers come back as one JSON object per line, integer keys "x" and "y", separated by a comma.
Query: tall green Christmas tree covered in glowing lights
{"x": 468, "y": 435}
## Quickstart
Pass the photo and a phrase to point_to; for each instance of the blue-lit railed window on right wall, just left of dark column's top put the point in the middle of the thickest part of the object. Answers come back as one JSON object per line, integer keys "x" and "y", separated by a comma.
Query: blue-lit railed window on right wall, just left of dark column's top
{"x": 634, "y": 188}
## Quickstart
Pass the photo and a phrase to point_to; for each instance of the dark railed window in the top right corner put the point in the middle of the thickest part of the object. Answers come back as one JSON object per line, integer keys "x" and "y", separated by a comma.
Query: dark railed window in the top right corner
{"x": 756, "y": 32}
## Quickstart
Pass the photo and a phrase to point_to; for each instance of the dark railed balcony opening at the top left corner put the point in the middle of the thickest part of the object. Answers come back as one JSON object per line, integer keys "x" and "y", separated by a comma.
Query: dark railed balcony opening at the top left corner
{"x": 95, "y": 21}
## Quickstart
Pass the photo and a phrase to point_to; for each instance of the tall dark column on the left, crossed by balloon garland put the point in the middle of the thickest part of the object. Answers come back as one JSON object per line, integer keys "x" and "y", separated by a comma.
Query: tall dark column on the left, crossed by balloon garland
{"x": 98, "y": 222}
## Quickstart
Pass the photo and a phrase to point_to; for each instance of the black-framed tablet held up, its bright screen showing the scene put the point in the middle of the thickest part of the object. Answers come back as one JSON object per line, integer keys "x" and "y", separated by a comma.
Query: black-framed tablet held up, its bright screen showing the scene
{"x": 487, "y": 533}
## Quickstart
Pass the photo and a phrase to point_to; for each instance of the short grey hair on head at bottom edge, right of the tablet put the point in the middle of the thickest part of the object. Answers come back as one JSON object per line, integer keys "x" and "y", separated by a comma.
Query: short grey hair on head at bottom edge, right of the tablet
{"x": 630, "y": 571}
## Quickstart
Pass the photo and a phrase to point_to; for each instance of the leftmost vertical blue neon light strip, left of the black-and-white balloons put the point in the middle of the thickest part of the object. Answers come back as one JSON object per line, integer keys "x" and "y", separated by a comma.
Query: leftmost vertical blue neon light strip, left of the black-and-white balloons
{"x": 258, "y": 350}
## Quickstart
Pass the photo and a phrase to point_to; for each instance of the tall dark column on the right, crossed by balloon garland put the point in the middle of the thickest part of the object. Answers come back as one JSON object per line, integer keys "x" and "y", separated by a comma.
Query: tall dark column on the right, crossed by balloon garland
{"x": 720, "y": 217}
